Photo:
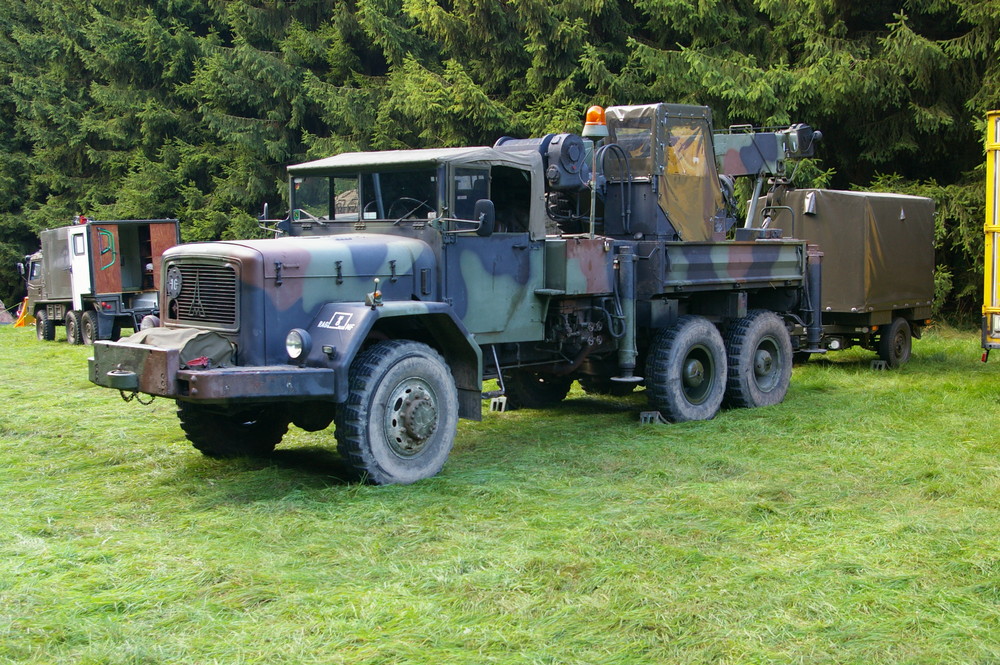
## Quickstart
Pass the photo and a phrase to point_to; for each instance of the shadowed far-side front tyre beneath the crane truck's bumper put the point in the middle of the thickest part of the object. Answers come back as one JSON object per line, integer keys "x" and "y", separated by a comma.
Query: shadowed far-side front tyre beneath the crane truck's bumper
{"x": 219, "y": 433}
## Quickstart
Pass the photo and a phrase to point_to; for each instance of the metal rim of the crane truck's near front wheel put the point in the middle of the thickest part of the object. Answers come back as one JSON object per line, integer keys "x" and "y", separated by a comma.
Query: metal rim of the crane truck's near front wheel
{"x": 411, "y": 417}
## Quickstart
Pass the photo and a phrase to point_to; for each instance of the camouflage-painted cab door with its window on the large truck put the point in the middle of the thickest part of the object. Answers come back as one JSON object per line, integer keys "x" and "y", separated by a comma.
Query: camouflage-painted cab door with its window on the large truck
{"x": 491, "y": 281}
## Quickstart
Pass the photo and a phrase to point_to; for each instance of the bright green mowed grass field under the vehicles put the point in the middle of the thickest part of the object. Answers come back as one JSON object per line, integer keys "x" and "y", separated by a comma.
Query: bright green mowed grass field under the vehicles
{"x": 858, "y": 522}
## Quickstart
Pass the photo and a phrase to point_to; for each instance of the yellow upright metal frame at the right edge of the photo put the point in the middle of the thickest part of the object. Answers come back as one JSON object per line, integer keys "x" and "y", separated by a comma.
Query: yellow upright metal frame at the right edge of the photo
{"x": 991, "y": 294}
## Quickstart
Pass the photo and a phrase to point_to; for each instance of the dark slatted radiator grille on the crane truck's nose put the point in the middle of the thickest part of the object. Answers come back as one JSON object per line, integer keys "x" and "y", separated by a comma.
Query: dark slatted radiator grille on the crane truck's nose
{"x": 209, "y": 295}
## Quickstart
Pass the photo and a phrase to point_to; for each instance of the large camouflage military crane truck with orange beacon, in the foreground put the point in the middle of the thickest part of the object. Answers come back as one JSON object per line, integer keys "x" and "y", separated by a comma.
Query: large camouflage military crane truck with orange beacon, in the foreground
{"x": 405, "y": 279}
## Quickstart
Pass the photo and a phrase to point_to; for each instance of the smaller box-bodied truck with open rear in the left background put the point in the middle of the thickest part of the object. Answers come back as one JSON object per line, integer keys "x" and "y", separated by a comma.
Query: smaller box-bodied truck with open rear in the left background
{"x": 96, "y": 277}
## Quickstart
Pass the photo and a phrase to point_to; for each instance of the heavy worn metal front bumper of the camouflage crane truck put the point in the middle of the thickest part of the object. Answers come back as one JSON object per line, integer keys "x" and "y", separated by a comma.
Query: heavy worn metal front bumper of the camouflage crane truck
{"x": 156, "y": 371}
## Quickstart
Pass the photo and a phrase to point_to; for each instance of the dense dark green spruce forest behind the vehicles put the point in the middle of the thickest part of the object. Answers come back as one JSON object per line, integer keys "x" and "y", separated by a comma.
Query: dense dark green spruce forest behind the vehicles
{"x": 193, "y": 108}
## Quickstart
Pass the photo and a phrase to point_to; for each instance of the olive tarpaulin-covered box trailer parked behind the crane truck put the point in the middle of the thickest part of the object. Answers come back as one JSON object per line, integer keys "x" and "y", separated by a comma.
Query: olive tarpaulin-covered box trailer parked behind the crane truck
{"x": 878, "y": 264}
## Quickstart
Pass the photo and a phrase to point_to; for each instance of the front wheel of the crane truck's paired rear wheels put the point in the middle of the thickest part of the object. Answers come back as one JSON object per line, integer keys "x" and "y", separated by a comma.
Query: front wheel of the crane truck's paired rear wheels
{"x": 686, "y": 370}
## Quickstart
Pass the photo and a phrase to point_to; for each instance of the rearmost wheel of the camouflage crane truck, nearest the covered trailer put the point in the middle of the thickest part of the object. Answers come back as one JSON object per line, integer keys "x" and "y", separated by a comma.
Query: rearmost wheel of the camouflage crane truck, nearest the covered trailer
{"x": 759, "y": 349}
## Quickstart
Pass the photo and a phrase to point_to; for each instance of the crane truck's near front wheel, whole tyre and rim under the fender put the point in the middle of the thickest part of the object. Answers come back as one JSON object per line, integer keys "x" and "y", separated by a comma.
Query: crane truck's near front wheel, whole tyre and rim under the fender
{"x": 399, "y": 423}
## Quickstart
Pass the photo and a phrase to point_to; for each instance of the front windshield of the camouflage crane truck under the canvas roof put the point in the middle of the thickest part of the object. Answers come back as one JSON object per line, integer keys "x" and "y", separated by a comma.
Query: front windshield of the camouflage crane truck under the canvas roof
{"x": 389, "y": 195}
